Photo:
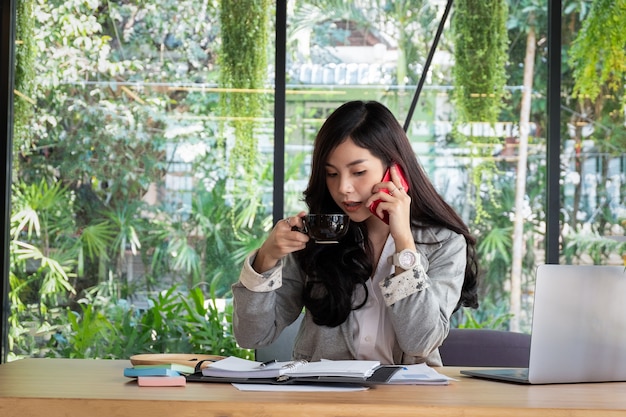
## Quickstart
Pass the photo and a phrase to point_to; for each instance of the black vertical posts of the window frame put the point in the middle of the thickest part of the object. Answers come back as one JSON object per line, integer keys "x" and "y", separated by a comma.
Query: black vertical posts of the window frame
{"x": 7, "y": 40}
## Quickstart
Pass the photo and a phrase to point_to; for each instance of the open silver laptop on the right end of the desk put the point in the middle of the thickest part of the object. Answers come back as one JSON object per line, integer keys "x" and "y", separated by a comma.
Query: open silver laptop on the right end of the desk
{"x": 578, "y": 329}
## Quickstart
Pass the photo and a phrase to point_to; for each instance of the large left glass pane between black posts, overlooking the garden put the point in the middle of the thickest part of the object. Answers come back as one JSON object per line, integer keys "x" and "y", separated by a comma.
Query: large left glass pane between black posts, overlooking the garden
{"x": 140, "y": 182}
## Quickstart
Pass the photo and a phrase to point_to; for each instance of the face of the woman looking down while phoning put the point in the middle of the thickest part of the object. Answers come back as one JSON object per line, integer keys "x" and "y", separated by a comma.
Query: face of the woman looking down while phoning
{"x": 351, "y": 173}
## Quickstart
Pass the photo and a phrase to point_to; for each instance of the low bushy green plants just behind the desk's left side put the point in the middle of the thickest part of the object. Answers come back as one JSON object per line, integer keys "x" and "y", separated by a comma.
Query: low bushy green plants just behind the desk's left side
{"x": 174, "y": 322}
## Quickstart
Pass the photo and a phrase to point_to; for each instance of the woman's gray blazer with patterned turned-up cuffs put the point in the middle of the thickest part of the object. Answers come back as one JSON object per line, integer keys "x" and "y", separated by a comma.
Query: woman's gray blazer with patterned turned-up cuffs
{"x": 421, "y": 319}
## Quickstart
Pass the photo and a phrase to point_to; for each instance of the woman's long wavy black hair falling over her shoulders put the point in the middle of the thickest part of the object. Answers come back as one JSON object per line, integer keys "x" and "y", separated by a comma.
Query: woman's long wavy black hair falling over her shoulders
{"x": 335, "y": 271}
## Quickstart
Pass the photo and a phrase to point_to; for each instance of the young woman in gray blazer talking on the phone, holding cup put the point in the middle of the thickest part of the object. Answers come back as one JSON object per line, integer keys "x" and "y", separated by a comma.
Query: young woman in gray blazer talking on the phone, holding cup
{"x": 361, "y": 300}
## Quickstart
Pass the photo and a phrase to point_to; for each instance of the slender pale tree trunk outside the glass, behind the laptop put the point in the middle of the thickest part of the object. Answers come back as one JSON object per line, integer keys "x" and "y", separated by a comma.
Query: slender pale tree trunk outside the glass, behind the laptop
{"x": 520, "y": 185}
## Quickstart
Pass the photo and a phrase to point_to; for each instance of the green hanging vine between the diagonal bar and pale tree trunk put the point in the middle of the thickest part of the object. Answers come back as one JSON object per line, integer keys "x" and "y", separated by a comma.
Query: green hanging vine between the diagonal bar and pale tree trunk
{"x": 480, "y": 51}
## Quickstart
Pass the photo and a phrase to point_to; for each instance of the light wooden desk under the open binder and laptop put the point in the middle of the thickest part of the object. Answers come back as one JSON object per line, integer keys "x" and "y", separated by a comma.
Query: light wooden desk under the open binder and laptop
{"x": 93, "y": 388}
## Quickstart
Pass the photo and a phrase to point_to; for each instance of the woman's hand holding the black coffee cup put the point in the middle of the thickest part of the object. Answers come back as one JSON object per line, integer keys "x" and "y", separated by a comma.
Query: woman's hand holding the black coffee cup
{"x": 281, "y": 241}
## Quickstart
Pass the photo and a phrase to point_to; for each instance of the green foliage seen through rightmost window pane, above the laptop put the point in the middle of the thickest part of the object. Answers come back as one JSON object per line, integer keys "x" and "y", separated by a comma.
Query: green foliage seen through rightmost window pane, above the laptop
{"x": 597, "y": 58}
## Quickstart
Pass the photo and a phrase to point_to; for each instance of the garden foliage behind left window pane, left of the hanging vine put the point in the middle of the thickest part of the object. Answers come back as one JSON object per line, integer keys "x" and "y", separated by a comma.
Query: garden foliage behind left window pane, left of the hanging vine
{"x": 86, "y": 203}
